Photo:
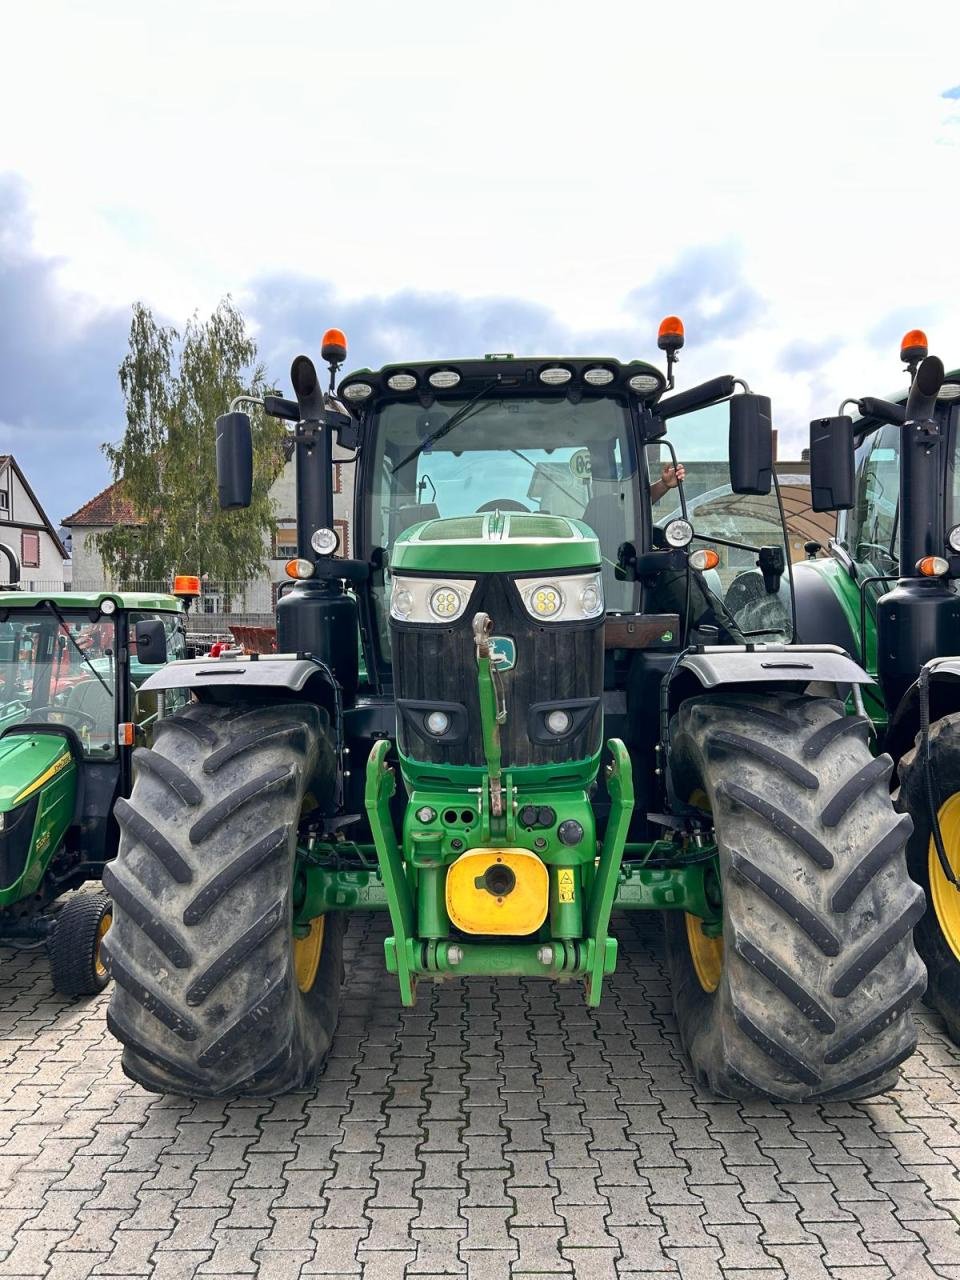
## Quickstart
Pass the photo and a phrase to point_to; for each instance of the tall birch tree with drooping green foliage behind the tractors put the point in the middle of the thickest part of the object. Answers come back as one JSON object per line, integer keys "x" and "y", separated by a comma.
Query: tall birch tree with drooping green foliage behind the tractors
{"x": 176, "y": 387}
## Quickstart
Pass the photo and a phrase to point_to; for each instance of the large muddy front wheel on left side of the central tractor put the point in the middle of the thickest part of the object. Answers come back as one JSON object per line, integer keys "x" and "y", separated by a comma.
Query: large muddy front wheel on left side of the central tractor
{"x": 213, "y": 994}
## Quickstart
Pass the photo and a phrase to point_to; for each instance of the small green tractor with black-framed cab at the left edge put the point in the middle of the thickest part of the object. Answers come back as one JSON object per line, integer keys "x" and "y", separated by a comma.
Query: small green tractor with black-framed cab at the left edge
{"x": 71, "y": 716}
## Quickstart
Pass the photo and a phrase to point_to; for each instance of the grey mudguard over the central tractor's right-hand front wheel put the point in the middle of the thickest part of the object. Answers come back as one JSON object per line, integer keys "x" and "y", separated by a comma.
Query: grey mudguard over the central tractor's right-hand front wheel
{"x": 743, "y": 665}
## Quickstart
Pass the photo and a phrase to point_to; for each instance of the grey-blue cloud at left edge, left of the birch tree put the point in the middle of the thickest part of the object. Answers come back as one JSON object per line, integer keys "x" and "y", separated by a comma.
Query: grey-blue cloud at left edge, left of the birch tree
{"x": 60, "y": 354}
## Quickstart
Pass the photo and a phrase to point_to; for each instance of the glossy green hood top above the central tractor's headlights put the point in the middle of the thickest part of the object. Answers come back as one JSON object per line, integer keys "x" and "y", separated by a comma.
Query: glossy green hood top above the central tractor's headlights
{"x": 497, "y": 543}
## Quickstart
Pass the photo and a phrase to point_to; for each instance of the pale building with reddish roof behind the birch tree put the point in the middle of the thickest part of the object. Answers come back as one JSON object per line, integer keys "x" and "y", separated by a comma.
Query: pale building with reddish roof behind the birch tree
{"x": 250, "y": 602}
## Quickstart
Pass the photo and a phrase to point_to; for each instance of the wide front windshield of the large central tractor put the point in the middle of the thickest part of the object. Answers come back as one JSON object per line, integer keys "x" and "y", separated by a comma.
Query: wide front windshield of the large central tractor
{"x": 538, "y": 454}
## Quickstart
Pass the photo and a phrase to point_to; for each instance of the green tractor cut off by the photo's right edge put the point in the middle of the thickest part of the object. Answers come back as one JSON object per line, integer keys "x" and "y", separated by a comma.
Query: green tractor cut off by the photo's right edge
{"x": 888, "y": 592}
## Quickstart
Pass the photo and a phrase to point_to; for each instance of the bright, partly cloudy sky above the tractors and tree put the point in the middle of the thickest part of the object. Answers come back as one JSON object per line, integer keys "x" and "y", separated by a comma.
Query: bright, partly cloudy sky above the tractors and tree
{"x": 442, "y": 179}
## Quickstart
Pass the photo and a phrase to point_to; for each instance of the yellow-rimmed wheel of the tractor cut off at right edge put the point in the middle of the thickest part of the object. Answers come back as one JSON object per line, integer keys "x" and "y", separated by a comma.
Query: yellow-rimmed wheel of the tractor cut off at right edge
{"x": 938, "y": 935}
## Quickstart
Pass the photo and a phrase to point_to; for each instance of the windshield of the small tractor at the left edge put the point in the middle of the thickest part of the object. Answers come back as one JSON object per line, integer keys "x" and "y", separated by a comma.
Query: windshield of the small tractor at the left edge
{"x": 61, "y": 674}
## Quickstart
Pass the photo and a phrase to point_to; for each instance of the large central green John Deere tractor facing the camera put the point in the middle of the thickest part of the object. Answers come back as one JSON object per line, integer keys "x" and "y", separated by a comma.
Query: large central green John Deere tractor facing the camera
{"x": 551, "y": 684}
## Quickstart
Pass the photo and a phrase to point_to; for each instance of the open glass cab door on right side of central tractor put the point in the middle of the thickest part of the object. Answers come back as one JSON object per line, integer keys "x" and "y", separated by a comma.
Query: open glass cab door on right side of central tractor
{"x": 733, "y": 597}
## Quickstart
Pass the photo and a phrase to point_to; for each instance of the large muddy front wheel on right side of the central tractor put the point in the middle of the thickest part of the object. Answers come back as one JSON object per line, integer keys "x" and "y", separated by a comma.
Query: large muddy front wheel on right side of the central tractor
{"x": 811, "y": 991}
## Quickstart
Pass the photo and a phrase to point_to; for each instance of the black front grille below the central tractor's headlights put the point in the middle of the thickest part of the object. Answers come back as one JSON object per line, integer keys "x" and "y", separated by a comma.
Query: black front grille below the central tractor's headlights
{"x": 555, "y": 664}
